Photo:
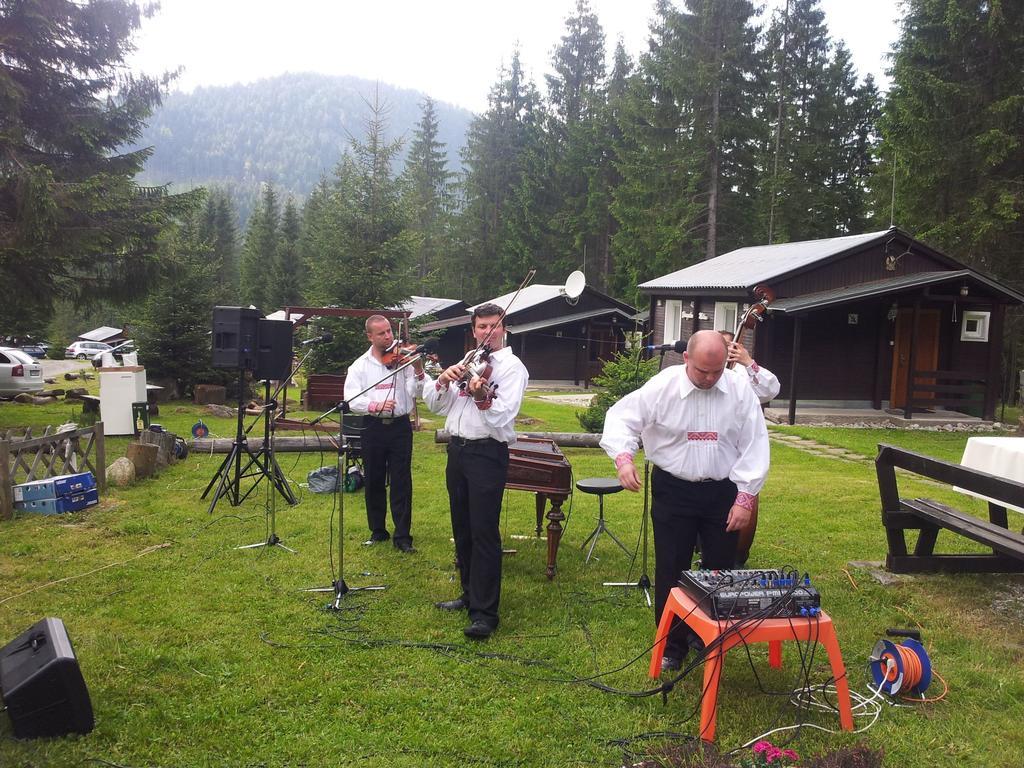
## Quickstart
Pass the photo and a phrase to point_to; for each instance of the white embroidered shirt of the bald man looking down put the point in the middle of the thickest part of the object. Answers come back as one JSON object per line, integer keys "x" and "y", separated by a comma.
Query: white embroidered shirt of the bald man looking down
{"x": 692, "y": 434}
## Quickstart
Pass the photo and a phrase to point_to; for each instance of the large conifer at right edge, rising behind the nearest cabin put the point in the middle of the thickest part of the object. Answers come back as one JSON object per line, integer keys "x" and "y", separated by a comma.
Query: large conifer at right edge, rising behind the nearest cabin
{"x": 955, "y": 124}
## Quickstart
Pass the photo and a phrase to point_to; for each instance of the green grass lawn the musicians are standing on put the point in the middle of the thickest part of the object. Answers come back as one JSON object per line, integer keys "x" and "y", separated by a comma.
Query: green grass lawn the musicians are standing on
{"x": 197, "y": 654}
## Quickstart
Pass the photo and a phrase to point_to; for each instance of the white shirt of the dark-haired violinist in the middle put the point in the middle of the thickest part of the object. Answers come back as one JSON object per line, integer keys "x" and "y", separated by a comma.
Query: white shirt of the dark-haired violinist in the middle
{"x": 465, "y": 419}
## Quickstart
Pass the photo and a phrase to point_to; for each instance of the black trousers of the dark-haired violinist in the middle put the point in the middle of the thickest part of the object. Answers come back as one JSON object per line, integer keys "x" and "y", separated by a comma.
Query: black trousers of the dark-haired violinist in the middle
{"x": 476, "y": 475}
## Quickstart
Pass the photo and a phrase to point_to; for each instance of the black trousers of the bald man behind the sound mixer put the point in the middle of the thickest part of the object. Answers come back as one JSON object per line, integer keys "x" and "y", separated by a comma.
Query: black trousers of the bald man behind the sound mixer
{"x": 680, "y": 511}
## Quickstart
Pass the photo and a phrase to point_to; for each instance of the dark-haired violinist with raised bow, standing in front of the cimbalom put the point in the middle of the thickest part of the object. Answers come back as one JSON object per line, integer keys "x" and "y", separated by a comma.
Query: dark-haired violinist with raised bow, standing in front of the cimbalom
{"x": 481, "y": 400}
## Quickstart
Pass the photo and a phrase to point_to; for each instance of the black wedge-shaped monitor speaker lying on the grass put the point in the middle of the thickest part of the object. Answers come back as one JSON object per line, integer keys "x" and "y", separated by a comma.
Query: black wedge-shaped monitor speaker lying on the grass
{"x": 41, "y": 685}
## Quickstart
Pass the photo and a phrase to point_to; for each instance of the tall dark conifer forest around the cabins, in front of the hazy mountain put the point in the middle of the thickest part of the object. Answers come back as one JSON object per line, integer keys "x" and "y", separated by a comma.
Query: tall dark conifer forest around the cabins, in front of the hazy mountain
{"x": 731, "y": 130}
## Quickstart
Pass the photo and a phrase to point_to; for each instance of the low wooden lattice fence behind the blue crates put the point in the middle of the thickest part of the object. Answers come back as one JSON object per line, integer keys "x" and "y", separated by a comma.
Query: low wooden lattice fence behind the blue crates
{"x": 24, "y": 458}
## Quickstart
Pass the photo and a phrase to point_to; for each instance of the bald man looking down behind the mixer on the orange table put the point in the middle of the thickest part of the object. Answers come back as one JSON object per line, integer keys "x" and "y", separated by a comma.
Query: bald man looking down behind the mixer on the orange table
{"x": 703, "y": 430}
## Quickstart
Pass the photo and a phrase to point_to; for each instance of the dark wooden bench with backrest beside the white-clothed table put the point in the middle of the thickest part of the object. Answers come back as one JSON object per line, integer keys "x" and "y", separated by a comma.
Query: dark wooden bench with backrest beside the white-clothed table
{"x": 928, "y": 517}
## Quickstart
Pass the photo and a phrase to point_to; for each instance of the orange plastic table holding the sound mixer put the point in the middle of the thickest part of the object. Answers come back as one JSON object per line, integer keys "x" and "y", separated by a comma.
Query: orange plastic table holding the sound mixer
{"x": 773, "y": 631}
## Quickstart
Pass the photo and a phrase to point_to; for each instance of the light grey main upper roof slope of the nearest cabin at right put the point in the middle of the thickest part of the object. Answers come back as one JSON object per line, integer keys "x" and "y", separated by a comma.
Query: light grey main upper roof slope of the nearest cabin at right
{"x": 748, "y": 267}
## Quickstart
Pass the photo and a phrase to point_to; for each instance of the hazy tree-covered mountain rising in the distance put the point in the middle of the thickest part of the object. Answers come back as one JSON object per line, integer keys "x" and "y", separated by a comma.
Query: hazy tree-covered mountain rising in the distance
{"x": 288, "y": 131}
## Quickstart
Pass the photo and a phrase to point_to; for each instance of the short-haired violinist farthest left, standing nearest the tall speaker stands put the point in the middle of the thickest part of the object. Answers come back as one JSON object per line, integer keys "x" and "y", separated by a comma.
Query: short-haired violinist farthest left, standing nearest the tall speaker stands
{"x": 388, "y": 435}
